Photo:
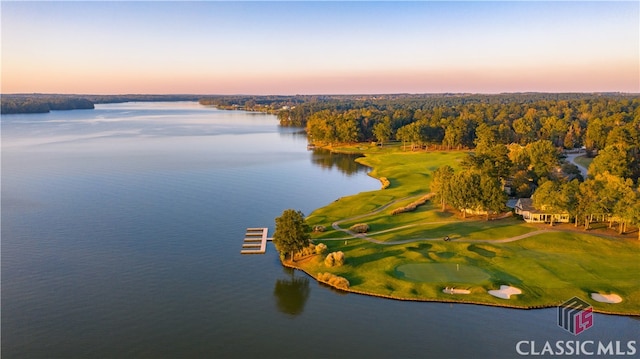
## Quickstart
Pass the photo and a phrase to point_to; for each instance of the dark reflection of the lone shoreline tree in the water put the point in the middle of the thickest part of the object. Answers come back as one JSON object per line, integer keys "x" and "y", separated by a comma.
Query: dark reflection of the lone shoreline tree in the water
{"x": 291, "y": 293}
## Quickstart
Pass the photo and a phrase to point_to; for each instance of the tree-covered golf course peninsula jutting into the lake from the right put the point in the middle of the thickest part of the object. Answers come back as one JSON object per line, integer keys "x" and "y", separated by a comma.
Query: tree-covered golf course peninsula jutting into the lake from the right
{"x": 484, "y": 199}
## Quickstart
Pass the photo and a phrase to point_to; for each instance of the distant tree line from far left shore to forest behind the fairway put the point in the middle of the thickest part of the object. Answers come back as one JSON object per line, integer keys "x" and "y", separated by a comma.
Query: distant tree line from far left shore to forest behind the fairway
{"x": 607, "y": 124}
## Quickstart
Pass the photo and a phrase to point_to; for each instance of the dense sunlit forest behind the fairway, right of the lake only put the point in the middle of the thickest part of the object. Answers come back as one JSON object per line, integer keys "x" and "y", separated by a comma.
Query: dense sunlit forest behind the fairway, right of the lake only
{"x": 605, "y": 124}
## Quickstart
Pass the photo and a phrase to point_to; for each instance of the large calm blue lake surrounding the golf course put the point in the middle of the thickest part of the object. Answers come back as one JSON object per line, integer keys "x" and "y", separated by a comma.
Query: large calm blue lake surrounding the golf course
{"x": 121, "y": 235}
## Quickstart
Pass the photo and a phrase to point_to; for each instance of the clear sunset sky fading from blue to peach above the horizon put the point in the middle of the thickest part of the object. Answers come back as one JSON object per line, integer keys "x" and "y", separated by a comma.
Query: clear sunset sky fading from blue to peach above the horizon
{"x": 319, "y": 47}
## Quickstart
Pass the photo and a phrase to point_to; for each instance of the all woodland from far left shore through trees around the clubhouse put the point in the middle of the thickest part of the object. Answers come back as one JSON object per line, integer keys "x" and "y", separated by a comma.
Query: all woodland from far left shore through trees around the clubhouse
{"x": 516, "y": 139}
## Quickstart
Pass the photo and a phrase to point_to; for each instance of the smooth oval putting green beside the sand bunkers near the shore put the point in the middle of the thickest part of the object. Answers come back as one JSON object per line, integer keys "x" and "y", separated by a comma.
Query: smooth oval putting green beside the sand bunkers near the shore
{"x": 442, "y": 273}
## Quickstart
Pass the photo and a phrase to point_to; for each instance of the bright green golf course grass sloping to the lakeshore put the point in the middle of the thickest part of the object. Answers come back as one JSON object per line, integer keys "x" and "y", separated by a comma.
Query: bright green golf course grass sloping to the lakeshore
{"x": 549, "y": 267}
